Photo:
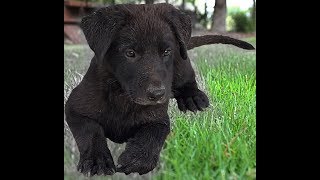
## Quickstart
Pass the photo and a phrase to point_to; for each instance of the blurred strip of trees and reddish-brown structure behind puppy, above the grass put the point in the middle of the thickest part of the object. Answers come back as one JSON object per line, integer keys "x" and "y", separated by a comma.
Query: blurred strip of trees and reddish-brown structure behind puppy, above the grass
{"x": 235, "y": 17}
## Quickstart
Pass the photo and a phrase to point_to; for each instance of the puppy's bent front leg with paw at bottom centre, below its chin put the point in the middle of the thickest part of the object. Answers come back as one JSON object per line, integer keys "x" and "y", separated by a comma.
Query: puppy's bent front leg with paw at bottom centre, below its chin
{"x": 142, "y": 152}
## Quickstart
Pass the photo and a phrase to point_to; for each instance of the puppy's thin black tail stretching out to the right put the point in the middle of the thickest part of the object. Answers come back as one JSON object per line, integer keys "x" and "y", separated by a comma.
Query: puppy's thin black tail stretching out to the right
{"x": 197, "y": 41}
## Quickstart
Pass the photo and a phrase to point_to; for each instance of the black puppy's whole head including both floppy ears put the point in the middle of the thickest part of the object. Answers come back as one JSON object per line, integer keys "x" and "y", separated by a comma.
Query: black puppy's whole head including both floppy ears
{"x": 138, "y": 44}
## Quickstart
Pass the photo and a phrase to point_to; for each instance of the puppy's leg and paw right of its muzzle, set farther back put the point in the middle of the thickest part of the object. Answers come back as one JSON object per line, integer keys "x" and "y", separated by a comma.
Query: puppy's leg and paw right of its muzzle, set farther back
{"x": 185, "y": 88}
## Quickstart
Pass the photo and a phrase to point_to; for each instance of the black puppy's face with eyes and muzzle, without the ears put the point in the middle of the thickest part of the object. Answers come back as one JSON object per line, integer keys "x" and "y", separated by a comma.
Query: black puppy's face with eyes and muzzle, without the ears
{"x": 141, "y": 58}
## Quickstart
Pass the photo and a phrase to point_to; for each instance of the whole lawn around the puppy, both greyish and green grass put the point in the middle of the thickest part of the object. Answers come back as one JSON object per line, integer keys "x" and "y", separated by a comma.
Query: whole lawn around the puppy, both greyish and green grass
{"x": 219, "y": 143}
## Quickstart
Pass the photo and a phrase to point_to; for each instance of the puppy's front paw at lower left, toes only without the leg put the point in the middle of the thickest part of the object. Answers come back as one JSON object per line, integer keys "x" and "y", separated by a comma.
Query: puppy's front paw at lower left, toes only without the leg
{"x": 98, "y": 164}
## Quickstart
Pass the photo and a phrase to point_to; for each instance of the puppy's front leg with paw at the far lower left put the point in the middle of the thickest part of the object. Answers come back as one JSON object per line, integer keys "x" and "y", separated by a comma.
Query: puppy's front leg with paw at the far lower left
{"x": 95, "y": 156}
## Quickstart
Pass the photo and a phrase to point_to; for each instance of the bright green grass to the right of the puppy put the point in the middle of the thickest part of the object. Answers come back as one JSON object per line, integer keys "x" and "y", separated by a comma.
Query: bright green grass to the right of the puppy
{"x": 220, "y": 142}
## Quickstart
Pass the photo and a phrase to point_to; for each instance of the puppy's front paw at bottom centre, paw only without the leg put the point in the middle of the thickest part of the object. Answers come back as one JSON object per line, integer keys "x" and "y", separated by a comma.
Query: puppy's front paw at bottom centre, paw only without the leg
{"x": 141, "y": 162}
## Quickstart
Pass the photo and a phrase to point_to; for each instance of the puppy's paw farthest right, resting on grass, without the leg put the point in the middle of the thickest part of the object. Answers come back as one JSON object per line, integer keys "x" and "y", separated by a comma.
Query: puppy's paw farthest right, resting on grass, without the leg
{"x": 197, "y": 101}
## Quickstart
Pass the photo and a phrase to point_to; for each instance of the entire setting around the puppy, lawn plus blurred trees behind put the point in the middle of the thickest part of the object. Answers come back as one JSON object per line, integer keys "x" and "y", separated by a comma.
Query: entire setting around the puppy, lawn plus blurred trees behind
{"x": 219, "y": 143}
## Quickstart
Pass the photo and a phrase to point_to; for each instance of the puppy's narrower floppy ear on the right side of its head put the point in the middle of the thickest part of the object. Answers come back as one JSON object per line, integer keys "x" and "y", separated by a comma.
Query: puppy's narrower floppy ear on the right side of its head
{"x": 180, "y": 23}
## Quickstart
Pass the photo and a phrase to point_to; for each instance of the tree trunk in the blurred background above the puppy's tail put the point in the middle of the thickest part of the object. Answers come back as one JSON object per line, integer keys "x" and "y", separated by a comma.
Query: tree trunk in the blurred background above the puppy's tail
{"x": 219, "y": 16}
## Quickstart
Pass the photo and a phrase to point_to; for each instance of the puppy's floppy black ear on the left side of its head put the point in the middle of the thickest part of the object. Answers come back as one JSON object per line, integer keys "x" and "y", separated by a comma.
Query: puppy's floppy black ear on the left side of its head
{"x": 100, "y": 28}
